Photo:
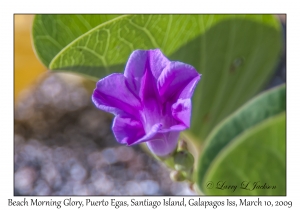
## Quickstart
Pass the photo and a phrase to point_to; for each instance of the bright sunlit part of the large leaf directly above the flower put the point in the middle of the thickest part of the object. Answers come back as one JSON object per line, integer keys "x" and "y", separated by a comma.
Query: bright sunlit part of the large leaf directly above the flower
{"x": 106, "y": 48}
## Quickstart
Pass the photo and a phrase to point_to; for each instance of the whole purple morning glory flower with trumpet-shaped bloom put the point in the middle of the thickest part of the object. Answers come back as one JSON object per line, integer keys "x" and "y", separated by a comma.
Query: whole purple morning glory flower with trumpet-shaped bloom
{"x": 151, "y": 101}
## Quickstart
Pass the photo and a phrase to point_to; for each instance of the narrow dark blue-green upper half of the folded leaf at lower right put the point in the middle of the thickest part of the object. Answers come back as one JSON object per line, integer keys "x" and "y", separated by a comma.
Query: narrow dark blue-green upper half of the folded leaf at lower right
{"x": 261, "y": 108}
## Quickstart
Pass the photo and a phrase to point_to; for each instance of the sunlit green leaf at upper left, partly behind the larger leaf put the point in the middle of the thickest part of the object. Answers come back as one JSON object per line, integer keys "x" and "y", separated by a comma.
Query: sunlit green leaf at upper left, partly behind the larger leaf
{"x": 52, "y": 33}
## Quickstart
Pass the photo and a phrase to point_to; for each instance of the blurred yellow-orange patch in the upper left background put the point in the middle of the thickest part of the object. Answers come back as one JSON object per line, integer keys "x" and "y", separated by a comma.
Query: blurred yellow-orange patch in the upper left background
{"x": 27, "y": 66}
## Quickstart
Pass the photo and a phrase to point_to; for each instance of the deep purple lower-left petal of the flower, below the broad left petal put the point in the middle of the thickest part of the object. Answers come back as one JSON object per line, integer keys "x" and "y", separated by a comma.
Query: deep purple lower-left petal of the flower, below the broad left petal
{"x": 127, "y": 130}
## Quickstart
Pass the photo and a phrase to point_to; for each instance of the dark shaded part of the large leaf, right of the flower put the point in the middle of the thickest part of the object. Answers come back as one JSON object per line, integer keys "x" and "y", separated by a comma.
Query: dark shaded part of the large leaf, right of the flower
{"x": 236, "y": 59}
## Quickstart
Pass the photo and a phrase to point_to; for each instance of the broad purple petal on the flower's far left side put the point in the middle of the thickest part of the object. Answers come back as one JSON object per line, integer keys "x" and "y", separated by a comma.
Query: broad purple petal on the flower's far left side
{"x": 112, "y": 95}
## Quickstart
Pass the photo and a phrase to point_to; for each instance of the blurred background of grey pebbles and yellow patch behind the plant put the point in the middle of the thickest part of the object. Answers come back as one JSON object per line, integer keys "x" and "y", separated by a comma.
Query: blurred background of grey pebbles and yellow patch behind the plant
{"x": 63, "y": 145}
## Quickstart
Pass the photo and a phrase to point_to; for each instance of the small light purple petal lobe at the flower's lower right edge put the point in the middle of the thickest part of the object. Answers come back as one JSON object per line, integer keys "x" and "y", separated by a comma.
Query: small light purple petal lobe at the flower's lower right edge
{"x": 181, "y": 111}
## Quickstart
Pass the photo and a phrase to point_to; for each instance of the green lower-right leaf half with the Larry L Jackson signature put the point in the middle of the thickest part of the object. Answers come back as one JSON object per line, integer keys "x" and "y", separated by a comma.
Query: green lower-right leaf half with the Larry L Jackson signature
{"x": 254, "y": 163}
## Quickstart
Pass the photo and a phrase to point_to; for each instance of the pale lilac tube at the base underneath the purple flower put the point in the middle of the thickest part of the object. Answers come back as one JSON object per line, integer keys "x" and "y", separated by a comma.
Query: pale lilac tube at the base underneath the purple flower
{"x": 165, "y": 144}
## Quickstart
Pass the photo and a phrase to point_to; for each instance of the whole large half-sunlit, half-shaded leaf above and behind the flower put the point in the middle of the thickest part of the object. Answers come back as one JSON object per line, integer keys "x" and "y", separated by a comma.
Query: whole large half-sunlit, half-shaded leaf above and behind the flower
{"x": 235, "y": 54}
